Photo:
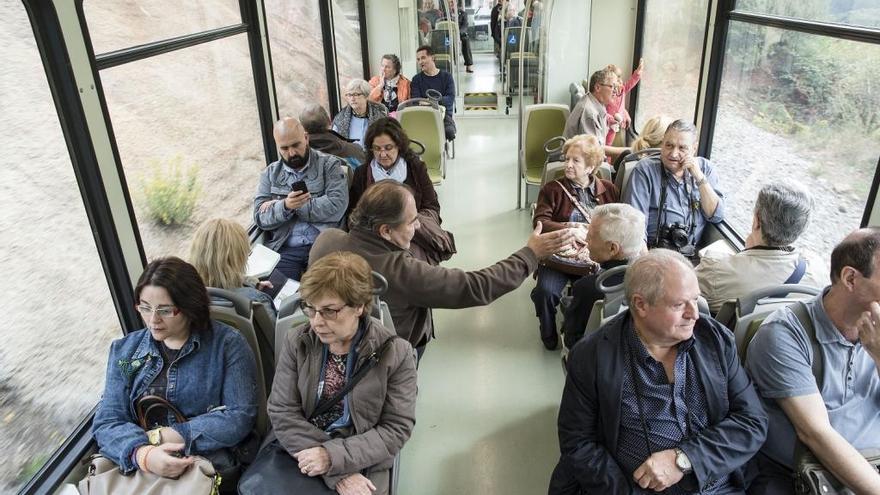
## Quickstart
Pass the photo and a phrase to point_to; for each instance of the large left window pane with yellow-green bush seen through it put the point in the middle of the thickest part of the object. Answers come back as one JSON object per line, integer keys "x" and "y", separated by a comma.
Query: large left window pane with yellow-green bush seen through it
{"x": 188, "y": 134}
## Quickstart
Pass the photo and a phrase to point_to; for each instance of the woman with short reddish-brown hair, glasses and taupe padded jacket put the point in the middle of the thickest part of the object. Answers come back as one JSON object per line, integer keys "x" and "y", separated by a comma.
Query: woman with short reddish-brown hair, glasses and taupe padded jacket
{"x": 329, "y": 441}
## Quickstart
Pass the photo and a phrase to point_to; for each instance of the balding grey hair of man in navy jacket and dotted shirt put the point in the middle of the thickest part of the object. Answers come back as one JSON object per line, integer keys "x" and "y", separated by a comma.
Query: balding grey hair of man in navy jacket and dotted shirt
{"x": 646, "y": 276}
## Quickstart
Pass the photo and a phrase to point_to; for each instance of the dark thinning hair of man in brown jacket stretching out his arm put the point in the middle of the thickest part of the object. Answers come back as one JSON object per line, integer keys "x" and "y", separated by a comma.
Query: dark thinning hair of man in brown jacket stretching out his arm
{"x": 382, "y": 204}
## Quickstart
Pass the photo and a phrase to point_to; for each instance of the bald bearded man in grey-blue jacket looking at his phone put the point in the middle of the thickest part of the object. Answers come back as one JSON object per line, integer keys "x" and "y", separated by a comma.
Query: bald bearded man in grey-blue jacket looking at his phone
{"x": 294, "y": 216}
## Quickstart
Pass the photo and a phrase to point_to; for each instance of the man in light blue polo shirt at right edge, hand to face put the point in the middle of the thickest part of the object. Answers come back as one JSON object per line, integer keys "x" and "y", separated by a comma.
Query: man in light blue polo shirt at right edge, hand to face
{"x": 840, "y": 414}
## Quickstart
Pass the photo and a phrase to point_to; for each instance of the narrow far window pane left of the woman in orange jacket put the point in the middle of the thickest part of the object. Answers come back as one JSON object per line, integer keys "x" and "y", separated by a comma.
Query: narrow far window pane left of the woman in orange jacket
{"x": 347, "y": 34}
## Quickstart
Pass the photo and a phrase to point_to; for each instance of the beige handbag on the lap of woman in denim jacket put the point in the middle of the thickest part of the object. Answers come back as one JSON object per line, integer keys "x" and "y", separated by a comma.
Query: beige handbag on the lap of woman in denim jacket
{"x": 104, "y": 478}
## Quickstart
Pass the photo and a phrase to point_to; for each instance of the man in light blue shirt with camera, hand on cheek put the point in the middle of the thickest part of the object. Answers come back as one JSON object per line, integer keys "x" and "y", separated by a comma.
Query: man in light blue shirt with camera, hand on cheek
{"x": 678, "y": 192}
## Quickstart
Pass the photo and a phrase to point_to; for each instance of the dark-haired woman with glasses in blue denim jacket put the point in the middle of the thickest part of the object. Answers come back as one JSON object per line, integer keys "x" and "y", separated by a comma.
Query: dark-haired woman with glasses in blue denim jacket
{"x": 204, "y": 368}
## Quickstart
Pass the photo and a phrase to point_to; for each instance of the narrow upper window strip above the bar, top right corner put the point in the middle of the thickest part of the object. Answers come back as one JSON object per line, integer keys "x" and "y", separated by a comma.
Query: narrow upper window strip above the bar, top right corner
{"x": 857, "y": 12}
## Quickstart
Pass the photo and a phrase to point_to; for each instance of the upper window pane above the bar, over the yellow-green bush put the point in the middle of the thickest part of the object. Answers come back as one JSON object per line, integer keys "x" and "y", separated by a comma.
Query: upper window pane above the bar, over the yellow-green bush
{"x": 113, "y": 28}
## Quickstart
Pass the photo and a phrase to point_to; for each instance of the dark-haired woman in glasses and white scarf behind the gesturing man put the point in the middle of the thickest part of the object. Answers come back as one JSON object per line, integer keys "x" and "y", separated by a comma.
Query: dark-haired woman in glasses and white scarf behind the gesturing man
{"x": 389, "y": 157}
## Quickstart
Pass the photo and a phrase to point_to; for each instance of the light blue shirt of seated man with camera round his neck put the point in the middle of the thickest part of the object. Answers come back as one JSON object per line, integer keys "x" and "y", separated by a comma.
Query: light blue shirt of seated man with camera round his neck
{"x": 682, "y": 197}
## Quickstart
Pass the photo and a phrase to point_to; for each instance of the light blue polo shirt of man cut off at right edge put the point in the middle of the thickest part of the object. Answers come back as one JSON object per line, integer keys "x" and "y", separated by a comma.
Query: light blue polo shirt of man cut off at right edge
{"x": 780, "y": 361}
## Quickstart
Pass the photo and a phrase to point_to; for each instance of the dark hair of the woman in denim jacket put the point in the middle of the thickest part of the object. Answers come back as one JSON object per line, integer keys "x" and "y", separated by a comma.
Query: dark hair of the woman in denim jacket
{"x": 184, "y": 285}
